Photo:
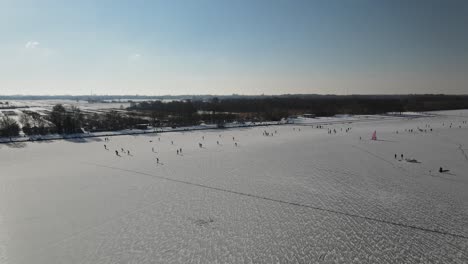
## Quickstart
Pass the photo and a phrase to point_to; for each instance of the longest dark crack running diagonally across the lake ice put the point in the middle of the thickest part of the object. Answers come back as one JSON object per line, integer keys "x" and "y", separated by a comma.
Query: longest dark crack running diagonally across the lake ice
{"x": 441, "y": 232}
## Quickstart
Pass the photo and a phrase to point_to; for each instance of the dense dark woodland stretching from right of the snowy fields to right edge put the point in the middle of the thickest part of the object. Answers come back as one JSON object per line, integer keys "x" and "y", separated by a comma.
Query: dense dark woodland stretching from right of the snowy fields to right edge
{"x": 265, "y": 108}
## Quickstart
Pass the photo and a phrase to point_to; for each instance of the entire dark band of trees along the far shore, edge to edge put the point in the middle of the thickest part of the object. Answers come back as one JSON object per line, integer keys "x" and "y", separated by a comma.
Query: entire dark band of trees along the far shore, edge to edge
{"x": 215, "y": 110}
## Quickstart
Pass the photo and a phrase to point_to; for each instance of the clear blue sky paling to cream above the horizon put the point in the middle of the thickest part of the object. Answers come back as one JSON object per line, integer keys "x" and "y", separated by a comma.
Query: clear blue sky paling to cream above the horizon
{"x": 224, "y": 47}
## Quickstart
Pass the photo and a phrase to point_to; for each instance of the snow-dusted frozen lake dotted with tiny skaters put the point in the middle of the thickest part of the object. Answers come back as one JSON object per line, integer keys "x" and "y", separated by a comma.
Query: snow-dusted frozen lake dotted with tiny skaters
{"x": 300, "y": 196}
